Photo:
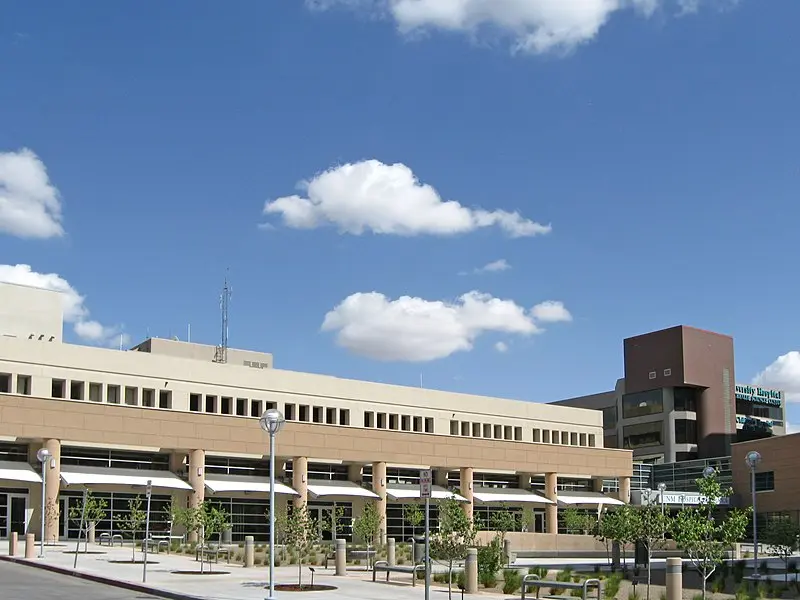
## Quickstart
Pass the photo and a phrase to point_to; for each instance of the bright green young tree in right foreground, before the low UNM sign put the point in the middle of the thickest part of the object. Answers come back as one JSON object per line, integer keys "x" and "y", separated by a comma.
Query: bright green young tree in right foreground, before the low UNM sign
{"x": 702, "y": 536}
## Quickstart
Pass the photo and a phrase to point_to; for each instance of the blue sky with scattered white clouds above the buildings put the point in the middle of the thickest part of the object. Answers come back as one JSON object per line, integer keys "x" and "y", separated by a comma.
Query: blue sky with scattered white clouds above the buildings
{"x": 482, "y": 196}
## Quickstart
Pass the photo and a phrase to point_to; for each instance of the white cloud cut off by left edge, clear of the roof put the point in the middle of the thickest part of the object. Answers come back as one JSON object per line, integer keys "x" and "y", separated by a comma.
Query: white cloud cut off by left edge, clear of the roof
{"x": 30, "y": 206}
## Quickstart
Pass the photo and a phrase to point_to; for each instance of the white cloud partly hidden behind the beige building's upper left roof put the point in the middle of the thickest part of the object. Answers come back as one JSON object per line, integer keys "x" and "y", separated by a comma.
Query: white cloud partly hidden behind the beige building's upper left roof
{"x": 75, "y": 310}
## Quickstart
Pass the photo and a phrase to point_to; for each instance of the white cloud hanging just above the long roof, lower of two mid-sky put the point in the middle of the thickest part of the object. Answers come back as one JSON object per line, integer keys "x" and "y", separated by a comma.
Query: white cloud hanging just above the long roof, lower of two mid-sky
{"x": 415, "y": 330}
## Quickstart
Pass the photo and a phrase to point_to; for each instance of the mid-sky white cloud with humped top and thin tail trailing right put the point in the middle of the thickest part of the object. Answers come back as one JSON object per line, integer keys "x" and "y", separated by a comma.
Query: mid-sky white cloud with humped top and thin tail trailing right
{"x": 388, "y": 199}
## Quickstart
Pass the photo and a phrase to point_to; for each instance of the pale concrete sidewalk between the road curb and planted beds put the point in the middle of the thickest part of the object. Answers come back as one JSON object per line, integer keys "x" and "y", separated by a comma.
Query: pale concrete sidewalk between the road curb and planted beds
{"x": 237, "y": 584}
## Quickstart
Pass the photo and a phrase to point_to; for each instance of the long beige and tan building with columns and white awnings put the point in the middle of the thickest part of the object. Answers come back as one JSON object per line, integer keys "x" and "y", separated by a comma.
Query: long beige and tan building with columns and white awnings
{"x": 165, "y": 411}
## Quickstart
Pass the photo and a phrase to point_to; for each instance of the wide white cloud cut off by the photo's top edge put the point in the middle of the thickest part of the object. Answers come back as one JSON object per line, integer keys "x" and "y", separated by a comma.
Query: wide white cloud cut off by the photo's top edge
{"x": 534, "y": 26}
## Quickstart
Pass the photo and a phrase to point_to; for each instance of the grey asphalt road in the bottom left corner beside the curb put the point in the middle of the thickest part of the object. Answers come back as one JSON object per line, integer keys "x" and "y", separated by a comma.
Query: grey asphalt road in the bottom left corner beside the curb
{"x": 20, "y": 582}
